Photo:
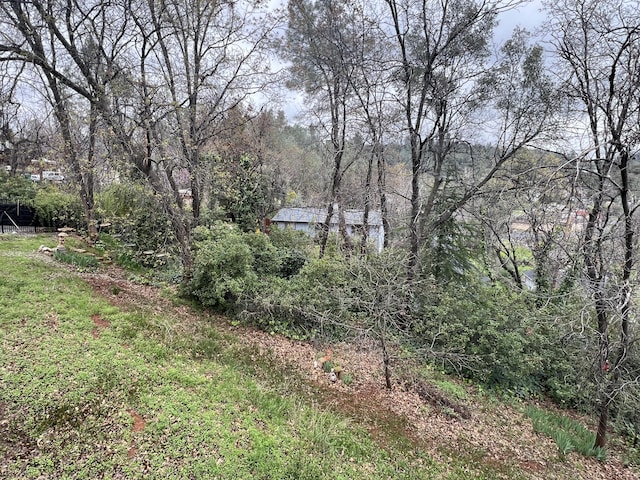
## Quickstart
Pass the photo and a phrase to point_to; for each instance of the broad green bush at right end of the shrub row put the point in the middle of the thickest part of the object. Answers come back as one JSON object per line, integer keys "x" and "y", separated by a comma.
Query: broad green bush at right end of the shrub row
{"x": 490, "y": 335}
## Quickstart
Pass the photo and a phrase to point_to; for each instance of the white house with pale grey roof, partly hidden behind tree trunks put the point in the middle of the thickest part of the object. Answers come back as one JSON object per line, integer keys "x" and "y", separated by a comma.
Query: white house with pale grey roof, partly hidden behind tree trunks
{"x": 307, "y": 219}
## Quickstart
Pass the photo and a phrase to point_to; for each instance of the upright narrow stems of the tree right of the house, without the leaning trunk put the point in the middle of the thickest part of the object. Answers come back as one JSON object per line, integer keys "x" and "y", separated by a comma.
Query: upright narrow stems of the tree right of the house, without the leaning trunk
{"x": 439, "y": 47}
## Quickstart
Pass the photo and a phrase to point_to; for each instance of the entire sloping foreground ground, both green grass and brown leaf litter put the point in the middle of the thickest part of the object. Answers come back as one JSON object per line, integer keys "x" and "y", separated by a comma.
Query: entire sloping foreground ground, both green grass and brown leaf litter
{"x": 103, "y": 377}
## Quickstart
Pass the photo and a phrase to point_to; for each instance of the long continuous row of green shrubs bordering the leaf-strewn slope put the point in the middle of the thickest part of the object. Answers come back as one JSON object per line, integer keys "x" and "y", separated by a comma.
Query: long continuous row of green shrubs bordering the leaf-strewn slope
{"x": 488, "y": 333}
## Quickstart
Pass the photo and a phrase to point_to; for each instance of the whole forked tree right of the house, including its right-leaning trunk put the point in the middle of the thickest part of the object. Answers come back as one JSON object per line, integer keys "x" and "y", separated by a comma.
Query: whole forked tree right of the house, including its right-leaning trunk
{"x": 441, "y": 53}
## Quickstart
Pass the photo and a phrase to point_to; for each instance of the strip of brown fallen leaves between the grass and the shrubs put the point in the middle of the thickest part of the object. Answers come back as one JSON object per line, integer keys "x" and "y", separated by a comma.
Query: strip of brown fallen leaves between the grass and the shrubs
{"x": 495, "y": 434}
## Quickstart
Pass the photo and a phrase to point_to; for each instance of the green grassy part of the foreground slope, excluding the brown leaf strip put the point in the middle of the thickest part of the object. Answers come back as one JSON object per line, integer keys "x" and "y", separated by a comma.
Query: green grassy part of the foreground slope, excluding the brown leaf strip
{"x": 91, "y": 390}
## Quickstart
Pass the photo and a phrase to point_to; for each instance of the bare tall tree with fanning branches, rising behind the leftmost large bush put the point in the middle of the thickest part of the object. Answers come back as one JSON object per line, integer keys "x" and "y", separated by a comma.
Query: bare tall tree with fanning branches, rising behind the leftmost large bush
{"x": 197, "y": 62}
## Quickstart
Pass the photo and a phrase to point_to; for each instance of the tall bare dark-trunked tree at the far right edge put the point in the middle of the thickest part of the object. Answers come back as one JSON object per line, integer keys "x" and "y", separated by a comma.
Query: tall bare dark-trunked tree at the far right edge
{"x": 597, "y": 46}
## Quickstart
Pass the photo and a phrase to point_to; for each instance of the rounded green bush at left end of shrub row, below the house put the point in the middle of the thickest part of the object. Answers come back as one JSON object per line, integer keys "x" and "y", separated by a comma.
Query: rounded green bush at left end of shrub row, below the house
{"x": 246, "y": 273}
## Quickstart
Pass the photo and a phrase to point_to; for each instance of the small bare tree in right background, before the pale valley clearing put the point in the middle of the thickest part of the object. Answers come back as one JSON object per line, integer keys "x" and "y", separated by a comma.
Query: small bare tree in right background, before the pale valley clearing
{"x": 529, "y": 215}
